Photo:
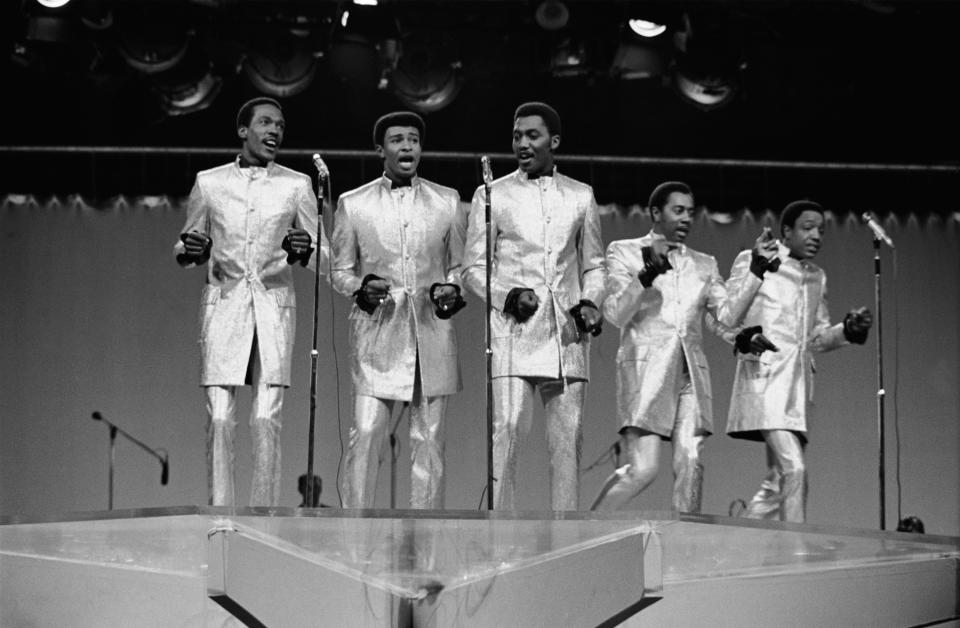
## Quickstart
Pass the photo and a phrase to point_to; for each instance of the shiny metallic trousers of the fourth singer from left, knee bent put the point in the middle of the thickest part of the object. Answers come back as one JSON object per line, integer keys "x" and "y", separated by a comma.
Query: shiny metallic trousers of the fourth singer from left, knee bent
{"x": 643, "y": 460}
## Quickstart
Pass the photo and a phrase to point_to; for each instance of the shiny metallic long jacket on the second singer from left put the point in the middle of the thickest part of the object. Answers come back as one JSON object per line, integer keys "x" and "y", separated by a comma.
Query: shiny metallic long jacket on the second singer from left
{"x": 373, "y": 234}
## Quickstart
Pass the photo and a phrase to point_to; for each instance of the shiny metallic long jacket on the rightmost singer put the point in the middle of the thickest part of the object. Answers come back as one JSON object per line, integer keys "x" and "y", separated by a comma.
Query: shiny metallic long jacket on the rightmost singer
{"x": 775, "y": 390}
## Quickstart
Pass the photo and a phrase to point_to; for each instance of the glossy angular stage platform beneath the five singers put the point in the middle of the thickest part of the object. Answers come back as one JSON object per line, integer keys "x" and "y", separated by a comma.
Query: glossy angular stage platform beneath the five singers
{"x": 203, "y": 566}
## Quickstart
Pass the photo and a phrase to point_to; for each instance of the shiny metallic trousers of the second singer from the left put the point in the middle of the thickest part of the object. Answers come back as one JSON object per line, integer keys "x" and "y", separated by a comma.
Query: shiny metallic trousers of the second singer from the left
{"x": 371, "y": 423}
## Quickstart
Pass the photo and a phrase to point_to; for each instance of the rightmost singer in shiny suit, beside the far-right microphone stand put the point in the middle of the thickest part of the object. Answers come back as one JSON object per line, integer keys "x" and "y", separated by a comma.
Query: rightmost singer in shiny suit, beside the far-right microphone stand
{"x": 786, "y": 324}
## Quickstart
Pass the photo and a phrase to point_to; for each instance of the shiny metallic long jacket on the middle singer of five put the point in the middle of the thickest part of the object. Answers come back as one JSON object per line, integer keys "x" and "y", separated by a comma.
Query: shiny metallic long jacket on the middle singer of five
{"x": 546, "y": 236}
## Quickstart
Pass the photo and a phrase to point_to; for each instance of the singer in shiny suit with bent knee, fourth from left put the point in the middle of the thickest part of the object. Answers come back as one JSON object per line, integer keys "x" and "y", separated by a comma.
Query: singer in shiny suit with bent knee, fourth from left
{"x": 658, "y": 292}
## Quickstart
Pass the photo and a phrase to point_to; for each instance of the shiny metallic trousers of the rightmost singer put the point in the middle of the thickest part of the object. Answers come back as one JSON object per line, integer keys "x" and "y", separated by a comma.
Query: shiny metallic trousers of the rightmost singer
{"x": 783, "y": 493}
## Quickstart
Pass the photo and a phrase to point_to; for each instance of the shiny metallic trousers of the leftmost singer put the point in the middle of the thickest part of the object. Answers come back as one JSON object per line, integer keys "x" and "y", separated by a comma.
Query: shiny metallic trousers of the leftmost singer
{"x": 265, "y": 422}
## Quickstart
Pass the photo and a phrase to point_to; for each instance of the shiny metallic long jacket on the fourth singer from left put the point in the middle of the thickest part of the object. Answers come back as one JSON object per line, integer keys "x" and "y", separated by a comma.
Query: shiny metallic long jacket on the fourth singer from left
{"x": 661, "y": 326}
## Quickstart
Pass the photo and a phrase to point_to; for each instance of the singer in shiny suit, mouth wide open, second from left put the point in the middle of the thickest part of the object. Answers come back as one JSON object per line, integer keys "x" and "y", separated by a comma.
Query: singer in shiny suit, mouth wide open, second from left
{"x": 398, "y": 248}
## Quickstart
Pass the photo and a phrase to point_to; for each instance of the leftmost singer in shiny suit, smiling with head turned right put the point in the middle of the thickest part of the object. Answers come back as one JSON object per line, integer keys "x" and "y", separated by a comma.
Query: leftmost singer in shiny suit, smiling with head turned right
{"x": 249, "y": 221}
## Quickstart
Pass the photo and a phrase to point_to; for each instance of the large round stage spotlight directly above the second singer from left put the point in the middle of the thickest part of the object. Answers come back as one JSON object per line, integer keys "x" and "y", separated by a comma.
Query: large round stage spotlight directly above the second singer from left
{"x": 426, "y": 77}
